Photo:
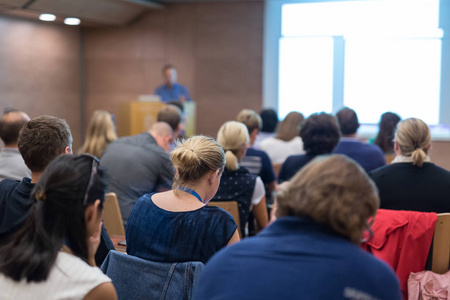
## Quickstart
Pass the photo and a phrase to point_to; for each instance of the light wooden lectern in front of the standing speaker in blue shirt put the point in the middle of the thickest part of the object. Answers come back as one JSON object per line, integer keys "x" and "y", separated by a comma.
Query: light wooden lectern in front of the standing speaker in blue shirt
{"x": 138, "y": 116}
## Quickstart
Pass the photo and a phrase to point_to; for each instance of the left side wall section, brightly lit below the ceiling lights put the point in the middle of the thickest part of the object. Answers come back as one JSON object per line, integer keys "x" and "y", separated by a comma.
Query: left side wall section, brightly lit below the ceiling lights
{"x": 39, "y": 70}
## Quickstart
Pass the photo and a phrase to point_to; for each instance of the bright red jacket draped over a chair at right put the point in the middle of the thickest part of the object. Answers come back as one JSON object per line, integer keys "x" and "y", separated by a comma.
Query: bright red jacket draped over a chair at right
{"x": 402, "y": 239}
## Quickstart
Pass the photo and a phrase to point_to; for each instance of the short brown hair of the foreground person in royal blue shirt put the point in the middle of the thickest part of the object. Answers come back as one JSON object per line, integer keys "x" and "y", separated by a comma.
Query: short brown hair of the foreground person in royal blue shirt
{"x": 332, "y": 190}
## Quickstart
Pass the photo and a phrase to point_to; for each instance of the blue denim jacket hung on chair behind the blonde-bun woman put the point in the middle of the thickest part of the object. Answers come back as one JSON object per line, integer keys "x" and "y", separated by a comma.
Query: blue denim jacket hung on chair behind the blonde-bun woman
{"x": 137, "y": 278}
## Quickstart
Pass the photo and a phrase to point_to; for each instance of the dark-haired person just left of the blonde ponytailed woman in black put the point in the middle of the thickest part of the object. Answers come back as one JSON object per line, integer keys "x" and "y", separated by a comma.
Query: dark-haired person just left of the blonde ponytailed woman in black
{"x": 385, "y": 137}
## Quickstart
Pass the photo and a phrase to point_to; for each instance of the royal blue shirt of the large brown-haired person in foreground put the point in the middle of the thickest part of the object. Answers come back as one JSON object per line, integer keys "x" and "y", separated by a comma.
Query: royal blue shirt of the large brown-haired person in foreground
{"x": 296, "y": 258}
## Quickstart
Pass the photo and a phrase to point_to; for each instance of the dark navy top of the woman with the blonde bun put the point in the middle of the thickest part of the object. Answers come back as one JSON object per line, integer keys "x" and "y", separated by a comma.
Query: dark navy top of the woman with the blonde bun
{"x": 159, "y": 235}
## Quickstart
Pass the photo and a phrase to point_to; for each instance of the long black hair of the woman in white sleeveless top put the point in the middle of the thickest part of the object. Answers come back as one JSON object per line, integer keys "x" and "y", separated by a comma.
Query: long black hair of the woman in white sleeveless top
{"x": 57, "y": 218}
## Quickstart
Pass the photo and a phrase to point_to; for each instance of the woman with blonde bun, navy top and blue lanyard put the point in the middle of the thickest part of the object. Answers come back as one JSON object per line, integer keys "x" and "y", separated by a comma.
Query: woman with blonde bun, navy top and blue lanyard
{"x": 177, "y": 226}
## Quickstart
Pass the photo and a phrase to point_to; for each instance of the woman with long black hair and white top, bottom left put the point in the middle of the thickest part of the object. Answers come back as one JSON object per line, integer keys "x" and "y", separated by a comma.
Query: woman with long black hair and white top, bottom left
{"x": 52, "y": 255}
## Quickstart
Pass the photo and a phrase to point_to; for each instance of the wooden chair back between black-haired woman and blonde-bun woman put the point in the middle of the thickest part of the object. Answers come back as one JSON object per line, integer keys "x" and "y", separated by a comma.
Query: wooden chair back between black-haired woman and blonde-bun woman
{"x": 112, "y": 218}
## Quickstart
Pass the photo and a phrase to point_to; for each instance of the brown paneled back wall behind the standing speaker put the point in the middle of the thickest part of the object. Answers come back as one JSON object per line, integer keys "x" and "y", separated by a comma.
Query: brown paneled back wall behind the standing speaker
{"x": 216, "y": 47}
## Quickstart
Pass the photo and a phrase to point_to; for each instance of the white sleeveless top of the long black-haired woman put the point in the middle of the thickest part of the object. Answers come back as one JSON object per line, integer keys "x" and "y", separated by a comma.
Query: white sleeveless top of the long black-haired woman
{"x": 70, "y": 279}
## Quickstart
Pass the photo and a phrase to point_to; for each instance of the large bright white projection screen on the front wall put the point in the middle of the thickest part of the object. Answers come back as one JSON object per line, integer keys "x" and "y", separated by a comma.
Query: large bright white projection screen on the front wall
{"x": 373, "y": 56}
